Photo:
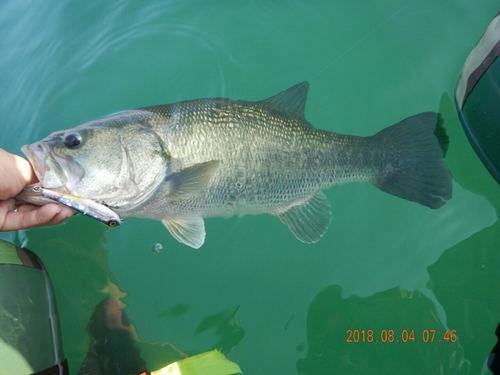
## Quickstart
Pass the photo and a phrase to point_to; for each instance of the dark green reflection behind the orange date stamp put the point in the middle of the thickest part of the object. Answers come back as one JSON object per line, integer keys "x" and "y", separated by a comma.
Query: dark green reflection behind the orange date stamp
{"x": 391, "y": 332}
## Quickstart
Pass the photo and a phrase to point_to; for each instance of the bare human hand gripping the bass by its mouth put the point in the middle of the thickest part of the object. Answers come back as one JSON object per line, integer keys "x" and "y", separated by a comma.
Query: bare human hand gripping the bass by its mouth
{"x": 15, "y": 174}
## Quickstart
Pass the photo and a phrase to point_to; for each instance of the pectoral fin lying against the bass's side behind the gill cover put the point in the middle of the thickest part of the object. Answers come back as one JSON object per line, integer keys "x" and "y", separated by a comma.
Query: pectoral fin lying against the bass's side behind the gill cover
{"x": 190, "y": 181}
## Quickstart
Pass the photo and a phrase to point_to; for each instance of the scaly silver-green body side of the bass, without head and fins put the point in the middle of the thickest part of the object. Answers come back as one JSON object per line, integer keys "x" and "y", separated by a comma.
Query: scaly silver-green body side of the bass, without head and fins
{"x": 270, "y": 159}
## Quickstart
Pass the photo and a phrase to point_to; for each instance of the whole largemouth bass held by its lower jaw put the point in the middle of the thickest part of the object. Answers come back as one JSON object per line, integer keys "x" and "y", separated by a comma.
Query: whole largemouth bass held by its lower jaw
{"x": 186, "y": 161}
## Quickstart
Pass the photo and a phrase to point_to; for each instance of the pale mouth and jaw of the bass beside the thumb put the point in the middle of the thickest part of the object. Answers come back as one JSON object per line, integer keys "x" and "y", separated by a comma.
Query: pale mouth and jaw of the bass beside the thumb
{"x": 47, "y": 169}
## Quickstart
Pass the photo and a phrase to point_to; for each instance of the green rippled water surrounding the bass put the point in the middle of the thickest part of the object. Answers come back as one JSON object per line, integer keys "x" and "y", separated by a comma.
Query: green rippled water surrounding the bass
{"x": 270, "y": 303}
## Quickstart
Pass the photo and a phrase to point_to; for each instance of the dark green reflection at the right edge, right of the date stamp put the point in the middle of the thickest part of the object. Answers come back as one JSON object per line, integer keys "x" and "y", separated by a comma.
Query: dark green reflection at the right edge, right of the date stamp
{"x": 466, "y": 282}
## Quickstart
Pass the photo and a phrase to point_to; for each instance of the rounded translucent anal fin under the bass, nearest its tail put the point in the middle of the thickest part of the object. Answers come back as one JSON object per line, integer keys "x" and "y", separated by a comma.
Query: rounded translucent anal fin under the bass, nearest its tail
{"x": 310, "y": 220}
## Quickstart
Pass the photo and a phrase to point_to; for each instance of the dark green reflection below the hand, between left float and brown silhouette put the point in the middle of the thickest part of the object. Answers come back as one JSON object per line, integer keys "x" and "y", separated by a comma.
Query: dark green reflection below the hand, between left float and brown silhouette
{"x": 78, "y": 267}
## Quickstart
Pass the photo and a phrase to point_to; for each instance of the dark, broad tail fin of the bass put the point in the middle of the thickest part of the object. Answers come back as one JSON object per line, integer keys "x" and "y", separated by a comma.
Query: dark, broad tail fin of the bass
{"x": 414, "y": 167}
